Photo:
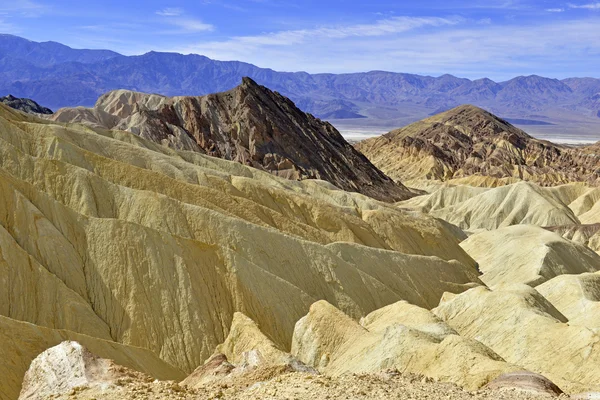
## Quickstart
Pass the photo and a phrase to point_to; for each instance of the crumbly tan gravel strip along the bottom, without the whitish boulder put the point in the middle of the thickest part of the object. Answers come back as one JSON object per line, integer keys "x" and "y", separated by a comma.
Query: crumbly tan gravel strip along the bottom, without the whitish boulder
{"x": 280, "y": 383}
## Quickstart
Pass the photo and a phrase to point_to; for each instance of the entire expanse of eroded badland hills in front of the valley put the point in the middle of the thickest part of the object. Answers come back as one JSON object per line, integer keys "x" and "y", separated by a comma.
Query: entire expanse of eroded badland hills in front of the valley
{"x": 177, "y": 248}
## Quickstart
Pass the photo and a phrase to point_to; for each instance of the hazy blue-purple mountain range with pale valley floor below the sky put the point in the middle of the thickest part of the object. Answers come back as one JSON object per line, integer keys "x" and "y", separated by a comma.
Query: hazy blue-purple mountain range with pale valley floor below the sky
{"x": 57, "y": 76}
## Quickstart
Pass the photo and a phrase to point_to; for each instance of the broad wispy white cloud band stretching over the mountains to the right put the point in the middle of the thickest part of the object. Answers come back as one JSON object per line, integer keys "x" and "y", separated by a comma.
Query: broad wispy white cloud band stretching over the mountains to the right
{"x": 445, "y": 46}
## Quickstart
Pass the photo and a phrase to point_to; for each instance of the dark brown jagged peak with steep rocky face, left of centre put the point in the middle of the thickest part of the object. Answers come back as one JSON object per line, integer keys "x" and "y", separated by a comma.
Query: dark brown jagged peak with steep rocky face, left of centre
{"x": 249, "y": 124}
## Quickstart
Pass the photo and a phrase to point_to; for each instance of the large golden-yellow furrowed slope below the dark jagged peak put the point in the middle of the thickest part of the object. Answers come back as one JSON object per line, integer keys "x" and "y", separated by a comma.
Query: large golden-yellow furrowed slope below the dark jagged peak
{"x": 105, "y": 234}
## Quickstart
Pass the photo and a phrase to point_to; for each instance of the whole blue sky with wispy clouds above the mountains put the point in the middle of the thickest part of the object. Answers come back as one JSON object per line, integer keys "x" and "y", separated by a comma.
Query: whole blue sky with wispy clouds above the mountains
{"x": 499, "y": 39}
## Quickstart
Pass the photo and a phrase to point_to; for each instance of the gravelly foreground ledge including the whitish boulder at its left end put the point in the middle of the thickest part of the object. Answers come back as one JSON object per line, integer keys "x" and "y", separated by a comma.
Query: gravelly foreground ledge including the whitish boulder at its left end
{"x": 79, "y": 374}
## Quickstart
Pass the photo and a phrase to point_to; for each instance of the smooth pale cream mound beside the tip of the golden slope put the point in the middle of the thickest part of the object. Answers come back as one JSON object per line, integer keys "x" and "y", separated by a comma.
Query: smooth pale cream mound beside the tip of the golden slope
{"x": 527, "y": 254}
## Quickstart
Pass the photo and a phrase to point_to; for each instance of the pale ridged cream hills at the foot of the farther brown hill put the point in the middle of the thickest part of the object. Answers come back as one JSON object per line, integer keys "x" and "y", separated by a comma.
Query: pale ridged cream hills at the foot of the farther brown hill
{"x": 570, "y": 210}
